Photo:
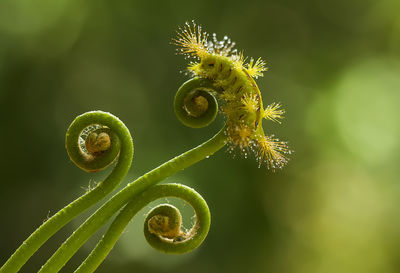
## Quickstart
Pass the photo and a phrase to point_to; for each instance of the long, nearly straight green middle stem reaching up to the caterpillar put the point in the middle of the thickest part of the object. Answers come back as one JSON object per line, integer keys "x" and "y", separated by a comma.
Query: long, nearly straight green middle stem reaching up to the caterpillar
{"x": 130, "y": 192}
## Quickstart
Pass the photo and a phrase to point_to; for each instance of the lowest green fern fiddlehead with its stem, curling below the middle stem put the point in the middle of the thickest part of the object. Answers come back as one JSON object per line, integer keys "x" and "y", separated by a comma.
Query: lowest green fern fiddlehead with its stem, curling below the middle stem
{"x": 162, "y": 226}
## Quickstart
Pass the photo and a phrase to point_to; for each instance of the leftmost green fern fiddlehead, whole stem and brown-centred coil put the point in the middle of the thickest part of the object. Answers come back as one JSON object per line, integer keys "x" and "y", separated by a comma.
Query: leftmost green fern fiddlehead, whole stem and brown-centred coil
{"x": 106, "y": 127}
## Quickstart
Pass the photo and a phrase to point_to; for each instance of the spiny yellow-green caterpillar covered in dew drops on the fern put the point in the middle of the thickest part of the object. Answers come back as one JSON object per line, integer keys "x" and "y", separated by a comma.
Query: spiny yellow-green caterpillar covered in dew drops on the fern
{"x": 241, "y": 98}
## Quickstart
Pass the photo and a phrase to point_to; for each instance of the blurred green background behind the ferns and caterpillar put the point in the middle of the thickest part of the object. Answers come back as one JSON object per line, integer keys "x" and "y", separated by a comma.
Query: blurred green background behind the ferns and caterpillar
{"x": 335, "y": 67}
